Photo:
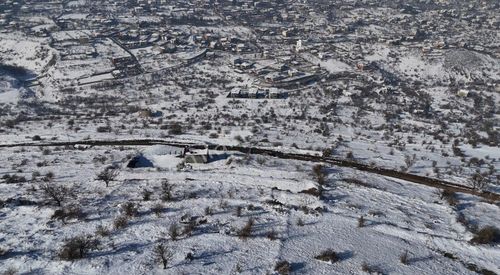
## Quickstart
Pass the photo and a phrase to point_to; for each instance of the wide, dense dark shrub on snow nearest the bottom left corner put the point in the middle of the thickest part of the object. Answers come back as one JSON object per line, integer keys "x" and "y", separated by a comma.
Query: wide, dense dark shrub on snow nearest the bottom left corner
{"x": 78, "y": 248}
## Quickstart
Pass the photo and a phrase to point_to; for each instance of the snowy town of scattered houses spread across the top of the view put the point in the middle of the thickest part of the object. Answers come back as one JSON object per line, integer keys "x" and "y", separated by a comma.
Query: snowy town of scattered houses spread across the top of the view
{"x": 280, "y": 44}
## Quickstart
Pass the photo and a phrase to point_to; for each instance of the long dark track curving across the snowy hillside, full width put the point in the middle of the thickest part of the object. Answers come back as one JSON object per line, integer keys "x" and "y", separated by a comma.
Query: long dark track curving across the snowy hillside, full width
{"x": 278, "y": 154}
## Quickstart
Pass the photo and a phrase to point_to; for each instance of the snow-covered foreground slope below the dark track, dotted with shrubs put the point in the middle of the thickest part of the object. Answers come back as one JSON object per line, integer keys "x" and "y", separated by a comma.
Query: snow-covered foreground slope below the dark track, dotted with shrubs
{"x": 397, "y": 217}
